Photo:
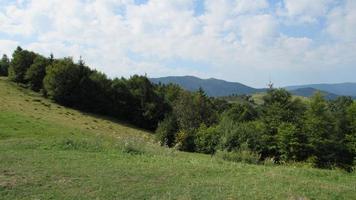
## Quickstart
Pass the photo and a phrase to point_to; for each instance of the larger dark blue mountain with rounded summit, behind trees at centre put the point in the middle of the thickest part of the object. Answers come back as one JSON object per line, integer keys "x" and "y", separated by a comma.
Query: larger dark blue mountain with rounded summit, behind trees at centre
{"x": 213, "y": 87}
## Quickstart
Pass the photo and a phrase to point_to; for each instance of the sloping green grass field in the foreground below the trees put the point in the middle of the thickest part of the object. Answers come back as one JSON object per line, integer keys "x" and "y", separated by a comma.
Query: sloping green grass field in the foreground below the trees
{"x": 51, "y": 152}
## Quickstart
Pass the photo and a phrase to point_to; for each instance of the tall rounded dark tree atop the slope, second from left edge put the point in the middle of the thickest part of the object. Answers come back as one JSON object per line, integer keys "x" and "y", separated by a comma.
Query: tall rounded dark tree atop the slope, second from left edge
{"x": 21, "y": 61}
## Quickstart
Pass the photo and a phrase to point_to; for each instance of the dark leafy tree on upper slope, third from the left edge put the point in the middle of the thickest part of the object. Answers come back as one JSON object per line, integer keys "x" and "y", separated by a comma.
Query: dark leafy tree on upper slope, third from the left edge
{"x": 35, "y": 74}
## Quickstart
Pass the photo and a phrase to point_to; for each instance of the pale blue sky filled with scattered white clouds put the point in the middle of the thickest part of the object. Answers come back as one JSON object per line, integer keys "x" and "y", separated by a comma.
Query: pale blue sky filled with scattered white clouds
{"x": 289, "y": 42}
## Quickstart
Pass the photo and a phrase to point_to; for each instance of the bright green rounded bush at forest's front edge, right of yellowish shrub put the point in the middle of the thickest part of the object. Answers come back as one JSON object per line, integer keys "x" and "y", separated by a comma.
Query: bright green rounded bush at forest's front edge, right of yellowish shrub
{"x": 207, "y": 139}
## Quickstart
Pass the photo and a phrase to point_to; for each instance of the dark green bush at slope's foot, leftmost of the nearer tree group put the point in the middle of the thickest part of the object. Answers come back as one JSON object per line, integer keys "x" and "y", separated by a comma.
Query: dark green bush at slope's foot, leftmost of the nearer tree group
{"x": 167, "y": 130}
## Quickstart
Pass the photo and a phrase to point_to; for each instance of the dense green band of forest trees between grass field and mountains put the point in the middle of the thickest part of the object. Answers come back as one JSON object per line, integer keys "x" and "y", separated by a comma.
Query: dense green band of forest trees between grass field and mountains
{"x": 281, "y": 129}
